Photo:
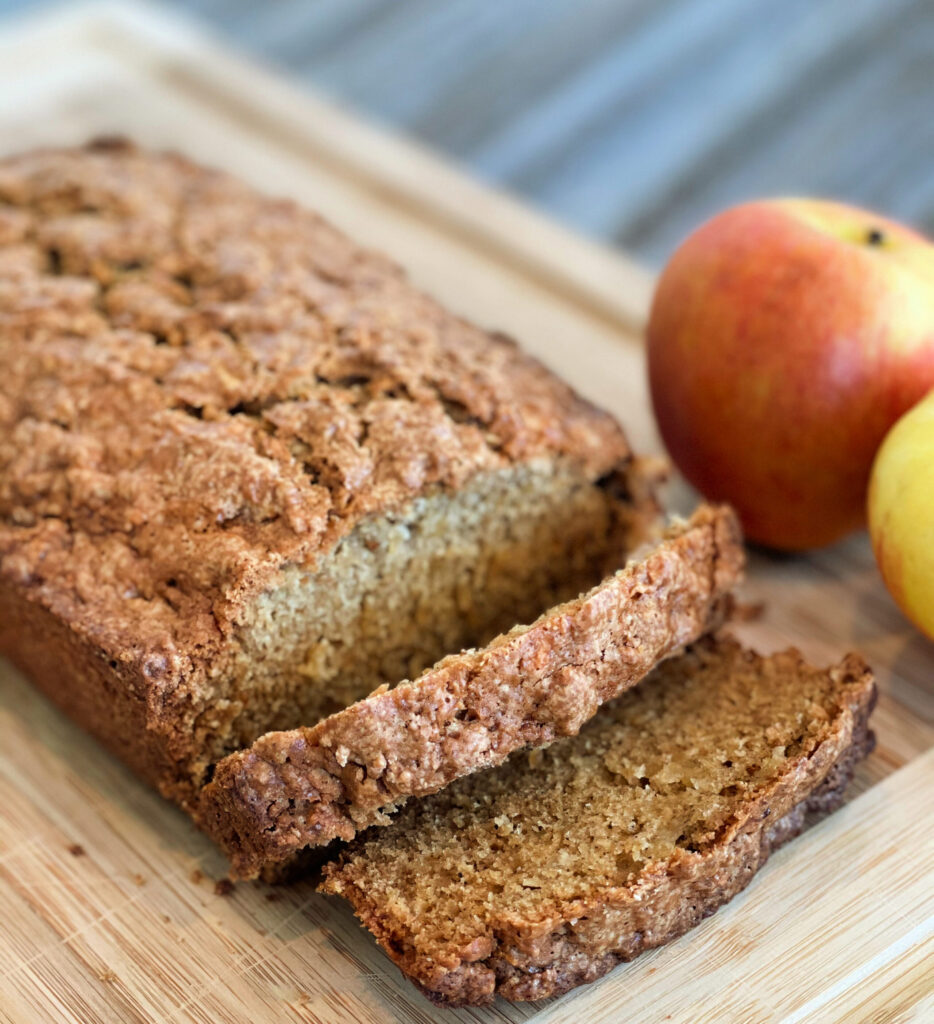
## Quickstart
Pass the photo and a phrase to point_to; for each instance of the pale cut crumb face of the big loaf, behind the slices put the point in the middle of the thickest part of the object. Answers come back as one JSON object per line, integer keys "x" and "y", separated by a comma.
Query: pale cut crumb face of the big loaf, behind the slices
{"x": 451, "y": 571}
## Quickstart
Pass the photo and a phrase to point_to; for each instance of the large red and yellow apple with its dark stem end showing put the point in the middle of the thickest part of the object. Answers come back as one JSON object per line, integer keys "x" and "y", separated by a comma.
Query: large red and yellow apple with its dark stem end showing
{"x": 785, "y": 339}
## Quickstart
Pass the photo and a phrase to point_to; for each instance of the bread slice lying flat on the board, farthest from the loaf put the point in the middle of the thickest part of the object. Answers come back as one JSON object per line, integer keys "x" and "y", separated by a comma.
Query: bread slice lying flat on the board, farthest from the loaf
{"x": 546, "y": 873}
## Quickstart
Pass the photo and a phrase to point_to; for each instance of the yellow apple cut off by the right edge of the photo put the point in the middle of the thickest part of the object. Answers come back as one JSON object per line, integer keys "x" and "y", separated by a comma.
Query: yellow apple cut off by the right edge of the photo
{"x": 902, "y": 514}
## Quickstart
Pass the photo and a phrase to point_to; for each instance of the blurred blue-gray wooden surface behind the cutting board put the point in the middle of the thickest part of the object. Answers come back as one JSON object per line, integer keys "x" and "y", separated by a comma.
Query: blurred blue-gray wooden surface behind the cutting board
{"x": 633, "y": 120}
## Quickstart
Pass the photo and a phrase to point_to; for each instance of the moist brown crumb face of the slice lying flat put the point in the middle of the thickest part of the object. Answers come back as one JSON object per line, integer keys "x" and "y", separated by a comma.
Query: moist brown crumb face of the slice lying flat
{"x": 661, "y": 770}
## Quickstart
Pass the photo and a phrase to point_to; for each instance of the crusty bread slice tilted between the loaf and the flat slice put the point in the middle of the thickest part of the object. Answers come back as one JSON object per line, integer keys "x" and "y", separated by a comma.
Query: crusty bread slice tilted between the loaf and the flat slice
{"x": 308, "y": 787}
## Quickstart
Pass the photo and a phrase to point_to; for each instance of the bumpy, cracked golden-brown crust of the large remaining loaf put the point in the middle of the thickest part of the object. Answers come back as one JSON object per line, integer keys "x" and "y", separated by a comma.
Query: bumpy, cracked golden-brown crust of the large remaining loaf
{"x": 200, "y": 387}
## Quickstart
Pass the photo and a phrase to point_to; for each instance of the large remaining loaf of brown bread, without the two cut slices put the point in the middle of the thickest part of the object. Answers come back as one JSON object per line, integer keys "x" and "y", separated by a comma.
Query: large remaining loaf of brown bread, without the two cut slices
{"x": 249, "y": 474}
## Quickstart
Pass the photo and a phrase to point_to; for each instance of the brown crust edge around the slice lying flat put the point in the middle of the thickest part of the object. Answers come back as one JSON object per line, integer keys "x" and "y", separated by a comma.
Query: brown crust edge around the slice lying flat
{"x": 583, "y": 938}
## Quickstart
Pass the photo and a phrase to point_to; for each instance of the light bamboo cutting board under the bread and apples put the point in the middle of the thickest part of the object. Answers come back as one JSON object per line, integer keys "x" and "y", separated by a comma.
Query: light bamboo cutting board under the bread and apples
{"x": 108, "y": 904}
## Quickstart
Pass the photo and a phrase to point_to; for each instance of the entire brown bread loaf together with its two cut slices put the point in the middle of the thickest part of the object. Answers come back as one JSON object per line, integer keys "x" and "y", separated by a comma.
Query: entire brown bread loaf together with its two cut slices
{"x": 269, "y": 520}
